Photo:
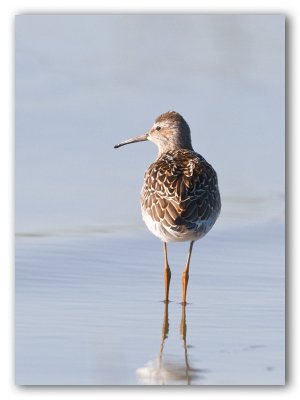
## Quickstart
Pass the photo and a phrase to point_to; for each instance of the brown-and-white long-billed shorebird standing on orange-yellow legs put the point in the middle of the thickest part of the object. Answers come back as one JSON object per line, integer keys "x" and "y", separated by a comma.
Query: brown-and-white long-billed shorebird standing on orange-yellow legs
{"x": 180, "y": 198}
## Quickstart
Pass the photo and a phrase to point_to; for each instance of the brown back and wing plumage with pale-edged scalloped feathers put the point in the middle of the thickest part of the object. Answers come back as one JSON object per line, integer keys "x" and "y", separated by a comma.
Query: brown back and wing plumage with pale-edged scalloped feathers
{"x": 181, "y": 189}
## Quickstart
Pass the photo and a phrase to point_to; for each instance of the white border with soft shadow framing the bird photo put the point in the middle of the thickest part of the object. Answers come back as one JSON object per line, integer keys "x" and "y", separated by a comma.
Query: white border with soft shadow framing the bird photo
{"x": 8, "y": 10}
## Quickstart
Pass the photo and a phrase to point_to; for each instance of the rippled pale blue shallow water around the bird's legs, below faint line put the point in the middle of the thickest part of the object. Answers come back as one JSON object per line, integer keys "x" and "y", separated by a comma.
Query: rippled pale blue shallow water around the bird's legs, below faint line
{"x": 89, "y": 310}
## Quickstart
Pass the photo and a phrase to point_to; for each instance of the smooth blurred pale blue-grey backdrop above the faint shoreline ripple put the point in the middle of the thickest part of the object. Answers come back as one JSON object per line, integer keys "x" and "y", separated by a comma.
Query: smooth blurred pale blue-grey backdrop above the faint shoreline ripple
{"x": 85, "y": 82}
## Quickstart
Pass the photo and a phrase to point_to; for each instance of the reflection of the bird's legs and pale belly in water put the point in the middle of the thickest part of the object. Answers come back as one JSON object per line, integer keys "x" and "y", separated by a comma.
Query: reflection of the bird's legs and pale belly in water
{"x": 165, "y": 370}
